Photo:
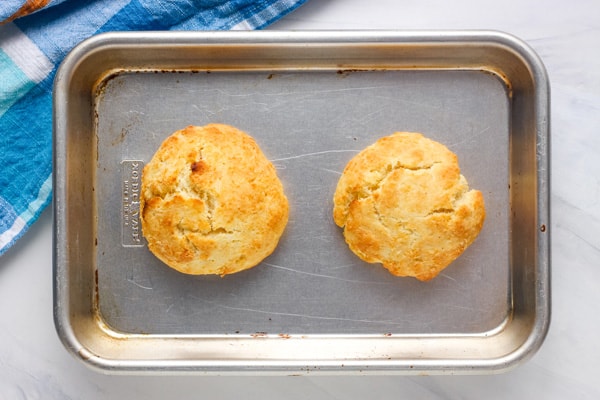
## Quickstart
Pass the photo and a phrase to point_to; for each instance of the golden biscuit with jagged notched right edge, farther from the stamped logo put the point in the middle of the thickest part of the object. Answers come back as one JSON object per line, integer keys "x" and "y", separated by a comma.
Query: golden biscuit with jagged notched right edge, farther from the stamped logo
{"x": 403, "y": 203}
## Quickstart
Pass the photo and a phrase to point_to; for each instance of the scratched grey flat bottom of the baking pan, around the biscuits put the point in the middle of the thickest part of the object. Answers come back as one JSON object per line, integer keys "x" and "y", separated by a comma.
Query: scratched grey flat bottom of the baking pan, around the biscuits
{"x": 309, "y": 123}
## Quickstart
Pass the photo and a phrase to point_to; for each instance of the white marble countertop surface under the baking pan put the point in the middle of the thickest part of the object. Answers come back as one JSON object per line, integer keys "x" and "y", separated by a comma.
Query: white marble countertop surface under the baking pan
{"x": 566, "y": 34}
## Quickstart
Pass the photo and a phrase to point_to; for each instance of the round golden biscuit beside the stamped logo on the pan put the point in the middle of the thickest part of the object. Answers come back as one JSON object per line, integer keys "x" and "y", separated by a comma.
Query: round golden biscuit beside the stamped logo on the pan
{"x": 211, "y": 202}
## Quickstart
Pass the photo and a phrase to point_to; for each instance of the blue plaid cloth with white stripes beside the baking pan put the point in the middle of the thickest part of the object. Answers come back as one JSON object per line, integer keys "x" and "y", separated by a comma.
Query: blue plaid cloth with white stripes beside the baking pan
{"x": 35, "y": 35}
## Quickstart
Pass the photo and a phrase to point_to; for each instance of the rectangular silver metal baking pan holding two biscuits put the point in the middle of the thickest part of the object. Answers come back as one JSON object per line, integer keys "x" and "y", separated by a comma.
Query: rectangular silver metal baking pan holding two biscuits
{"x": 312, "y": 100}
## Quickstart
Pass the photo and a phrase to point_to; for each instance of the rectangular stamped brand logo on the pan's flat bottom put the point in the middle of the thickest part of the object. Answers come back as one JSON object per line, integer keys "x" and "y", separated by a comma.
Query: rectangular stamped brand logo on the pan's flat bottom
{"x": 131, "y": 183}
